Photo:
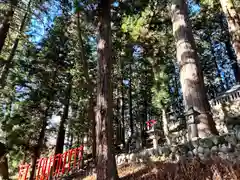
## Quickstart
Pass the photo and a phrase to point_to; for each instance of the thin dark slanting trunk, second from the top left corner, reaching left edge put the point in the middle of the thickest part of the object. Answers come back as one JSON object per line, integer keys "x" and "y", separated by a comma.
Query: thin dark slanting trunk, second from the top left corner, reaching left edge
{"x": 9, "y": 62}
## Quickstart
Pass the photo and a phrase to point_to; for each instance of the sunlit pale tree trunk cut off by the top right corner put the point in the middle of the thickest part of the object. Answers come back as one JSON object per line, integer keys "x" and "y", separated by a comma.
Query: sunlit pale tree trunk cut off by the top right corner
{"x": 233, "y": 20}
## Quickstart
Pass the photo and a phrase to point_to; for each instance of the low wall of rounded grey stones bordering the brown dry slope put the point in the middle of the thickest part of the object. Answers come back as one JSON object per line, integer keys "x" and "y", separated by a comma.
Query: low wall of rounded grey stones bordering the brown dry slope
{"x": 226, "y": 146}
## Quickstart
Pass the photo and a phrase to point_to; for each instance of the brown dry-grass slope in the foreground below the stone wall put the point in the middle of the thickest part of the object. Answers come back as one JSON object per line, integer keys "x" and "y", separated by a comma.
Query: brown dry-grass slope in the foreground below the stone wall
{"x": 192, "y": 169}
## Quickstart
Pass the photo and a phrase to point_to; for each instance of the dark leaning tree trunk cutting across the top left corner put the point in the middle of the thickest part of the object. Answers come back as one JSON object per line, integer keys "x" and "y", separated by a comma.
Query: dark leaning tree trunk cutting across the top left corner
{"x": 5, "y": 24}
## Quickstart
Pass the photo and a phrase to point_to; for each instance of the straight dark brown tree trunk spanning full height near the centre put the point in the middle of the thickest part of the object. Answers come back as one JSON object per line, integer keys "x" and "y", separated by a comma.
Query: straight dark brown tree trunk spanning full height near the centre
{"x": 106, "y": 163}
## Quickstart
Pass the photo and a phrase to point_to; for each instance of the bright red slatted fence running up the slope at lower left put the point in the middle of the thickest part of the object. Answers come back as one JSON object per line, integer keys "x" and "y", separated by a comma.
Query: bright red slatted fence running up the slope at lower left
{"x": 55, "y": 166}
